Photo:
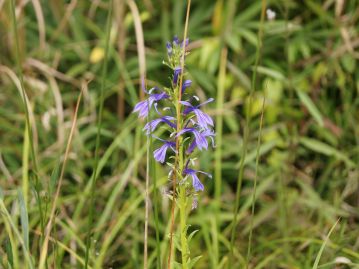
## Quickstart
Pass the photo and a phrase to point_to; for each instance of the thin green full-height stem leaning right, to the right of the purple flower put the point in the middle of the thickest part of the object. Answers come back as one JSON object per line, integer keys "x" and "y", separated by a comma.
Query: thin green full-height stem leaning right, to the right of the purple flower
{"x": 246, "y": 135}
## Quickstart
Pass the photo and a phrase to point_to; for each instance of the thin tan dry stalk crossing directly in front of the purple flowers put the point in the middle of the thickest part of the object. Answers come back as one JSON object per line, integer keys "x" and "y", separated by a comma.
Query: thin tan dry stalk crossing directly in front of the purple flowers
{"x": 178, "y": 156}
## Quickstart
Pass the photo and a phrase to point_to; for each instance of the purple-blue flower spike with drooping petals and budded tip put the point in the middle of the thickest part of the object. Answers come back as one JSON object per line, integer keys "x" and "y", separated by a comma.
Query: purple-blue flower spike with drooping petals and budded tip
{"x": 196, "y": 126}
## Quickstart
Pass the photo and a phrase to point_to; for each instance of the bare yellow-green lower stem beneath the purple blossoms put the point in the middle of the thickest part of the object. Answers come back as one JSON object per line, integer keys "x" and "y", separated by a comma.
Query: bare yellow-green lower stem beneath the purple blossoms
{"x": 183, "y": 223}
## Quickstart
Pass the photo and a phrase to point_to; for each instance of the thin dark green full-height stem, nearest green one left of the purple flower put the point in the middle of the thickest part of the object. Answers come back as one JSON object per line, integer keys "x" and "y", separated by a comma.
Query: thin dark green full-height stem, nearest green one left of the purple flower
{"x": 98, "y": 138}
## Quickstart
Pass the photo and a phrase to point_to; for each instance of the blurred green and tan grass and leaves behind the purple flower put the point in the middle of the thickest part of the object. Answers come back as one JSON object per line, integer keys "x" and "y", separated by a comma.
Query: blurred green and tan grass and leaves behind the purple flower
{"x": 307, "y": 173}
